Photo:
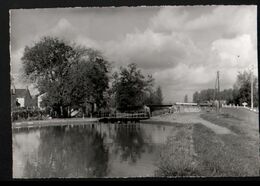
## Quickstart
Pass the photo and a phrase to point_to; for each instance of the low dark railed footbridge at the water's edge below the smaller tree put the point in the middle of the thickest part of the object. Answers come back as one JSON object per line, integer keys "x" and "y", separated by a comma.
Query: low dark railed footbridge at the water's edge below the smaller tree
{"x": 123, "y": 117}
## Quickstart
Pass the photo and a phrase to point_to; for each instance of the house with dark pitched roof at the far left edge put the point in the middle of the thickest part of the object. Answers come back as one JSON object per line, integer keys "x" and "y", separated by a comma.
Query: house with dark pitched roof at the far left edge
{"x": 21, "y": 98}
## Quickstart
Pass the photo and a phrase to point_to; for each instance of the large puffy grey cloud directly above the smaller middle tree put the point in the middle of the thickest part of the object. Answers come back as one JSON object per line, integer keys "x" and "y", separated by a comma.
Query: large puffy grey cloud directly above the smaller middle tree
{"x": 152, "y": 50}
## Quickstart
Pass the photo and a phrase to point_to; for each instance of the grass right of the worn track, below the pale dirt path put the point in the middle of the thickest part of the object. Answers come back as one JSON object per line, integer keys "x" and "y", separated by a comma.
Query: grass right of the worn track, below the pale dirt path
{"x": 224, "y": 155}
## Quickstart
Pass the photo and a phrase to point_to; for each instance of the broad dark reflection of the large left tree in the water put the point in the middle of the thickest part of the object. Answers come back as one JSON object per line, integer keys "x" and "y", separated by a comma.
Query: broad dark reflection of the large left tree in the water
{"x": 69, "y": 152}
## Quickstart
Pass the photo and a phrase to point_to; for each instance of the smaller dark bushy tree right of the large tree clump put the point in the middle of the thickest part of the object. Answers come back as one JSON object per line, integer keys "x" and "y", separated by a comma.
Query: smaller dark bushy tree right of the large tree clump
{"x": 131, "y": 87}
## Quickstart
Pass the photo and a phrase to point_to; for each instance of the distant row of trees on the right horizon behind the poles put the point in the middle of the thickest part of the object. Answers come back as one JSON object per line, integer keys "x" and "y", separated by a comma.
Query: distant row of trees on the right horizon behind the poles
{"x": 241, "y": 92}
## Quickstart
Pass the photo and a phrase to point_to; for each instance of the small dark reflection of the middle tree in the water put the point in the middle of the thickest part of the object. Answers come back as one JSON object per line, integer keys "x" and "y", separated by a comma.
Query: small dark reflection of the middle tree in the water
{"x": 130, "y": 142}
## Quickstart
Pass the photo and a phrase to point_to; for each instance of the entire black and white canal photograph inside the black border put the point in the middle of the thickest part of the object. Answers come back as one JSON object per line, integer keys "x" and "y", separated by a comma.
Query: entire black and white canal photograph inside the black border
{"x": 134, "y": 92}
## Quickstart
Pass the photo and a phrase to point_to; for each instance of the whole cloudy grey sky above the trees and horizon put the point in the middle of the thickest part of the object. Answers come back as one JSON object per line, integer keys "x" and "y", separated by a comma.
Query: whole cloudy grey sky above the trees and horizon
{"x": 181, "y": 46}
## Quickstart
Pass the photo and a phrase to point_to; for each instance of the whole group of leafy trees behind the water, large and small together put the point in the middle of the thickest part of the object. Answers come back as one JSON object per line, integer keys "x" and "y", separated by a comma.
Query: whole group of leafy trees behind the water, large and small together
{"x": 73, "y": 77}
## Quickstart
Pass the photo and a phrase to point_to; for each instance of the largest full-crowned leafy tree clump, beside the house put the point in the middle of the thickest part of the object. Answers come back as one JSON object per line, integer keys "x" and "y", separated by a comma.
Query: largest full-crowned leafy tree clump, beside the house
{"x": 69, "y": 75}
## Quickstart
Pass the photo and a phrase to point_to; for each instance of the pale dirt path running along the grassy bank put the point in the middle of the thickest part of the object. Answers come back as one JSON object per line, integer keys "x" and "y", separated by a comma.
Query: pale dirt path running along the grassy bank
{"x": 191, "y": 118}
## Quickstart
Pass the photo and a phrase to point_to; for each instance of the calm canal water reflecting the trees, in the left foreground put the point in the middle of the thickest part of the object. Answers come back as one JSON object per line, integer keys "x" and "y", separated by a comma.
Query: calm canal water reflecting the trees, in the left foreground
{"x": 87, "y": 151}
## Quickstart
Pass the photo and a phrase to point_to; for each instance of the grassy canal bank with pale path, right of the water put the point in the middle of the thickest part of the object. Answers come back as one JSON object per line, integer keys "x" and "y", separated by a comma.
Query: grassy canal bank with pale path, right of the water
{"x": 209, "y": 144}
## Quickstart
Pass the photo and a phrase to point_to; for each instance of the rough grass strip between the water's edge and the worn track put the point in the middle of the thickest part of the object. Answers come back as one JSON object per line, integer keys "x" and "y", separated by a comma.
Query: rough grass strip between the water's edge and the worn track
{"x": 176, "y": 158}
